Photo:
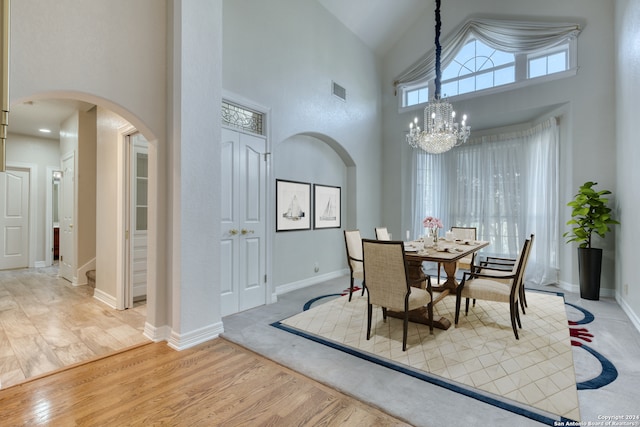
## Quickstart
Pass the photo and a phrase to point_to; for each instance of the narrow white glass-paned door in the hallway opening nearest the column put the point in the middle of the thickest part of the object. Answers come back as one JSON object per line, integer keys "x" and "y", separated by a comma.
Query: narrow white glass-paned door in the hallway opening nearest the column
{"x": 138, "y": 216}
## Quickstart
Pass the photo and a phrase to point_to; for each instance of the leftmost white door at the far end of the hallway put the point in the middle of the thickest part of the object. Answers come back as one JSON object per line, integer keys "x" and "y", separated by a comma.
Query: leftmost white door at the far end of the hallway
{"x": 14, "y": 219}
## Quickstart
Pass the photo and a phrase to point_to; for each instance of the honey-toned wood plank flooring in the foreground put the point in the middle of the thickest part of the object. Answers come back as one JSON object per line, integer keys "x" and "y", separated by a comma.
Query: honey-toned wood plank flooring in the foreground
{"x": 214, "y": 383}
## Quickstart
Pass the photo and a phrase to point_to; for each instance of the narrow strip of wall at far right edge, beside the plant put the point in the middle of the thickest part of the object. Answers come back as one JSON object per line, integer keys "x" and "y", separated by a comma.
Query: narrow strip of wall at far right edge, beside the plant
{"x": 628, "y": 150}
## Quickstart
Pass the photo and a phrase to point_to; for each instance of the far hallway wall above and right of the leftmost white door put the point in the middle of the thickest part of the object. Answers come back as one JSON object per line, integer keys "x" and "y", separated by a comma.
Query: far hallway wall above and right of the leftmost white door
{"x": 43, "y": 153}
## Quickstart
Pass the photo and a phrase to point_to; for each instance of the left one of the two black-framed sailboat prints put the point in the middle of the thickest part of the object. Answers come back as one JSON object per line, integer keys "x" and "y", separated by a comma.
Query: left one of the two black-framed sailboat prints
{"x": 293, "y": 205}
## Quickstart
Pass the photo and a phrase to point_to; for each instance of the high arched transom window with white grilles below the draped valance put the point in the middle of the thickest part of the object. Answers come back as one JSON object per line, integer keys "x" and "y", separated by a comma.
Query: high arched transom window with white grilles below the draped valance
{"x": 479, "y": 67}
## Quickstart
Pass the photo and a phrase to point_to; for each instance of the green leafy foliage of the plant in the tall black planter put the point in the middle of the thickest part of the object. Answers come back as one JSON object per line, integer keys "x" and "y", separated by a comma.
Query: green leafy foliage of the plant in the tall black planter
{"x": 590, "y": 215}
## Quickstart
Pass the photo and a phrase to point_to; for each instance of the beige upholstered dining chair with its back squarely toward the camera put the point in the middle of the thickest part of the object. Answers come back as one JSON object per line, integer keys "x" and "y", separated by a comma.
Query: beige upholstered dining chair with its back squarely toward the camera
{"x": 388, "y": 286}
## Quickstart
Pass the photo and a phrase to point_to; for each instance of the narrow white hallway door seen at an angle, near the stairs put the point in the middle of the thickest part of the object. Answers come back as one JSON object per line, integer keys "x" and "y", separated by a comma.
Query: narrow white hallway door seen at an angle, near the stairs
{"x": 67, "y": 207}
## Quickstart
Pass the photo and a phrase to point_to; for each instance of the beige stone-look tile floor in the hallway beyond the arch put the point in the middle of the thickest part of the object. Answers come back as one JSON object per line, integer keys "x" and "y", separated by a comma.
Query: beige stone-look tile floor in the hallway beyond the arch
{"x": 47, "y": 324}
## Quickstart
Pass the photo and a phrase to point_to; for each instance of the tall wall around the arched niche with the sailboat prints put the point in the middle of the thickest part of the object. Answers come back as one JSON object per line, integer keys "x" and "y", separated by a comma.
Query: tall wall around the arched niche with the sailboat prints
{"x": 284, "y": 54}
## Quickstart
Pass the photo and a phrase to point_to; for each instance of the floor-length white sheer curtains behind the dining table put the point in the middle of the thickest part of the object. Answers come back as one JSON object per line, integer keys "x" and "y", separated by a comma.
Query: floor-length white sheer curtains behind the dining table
{"x": 504, "y": 185}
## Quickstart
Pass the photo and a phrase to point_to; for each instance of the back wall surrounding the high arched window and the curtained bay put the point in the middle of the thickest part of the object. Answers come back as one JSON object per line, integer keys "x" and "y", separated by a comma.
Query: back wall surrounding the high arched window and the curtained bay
{"x": 587, "y": 153}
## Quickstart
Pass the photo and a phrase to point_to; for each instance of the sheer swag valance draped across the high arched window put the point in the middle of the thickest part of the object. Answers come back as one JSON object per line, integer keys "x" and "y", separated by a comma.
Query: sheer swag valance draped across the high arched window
{"x": 505, "y": 35}
